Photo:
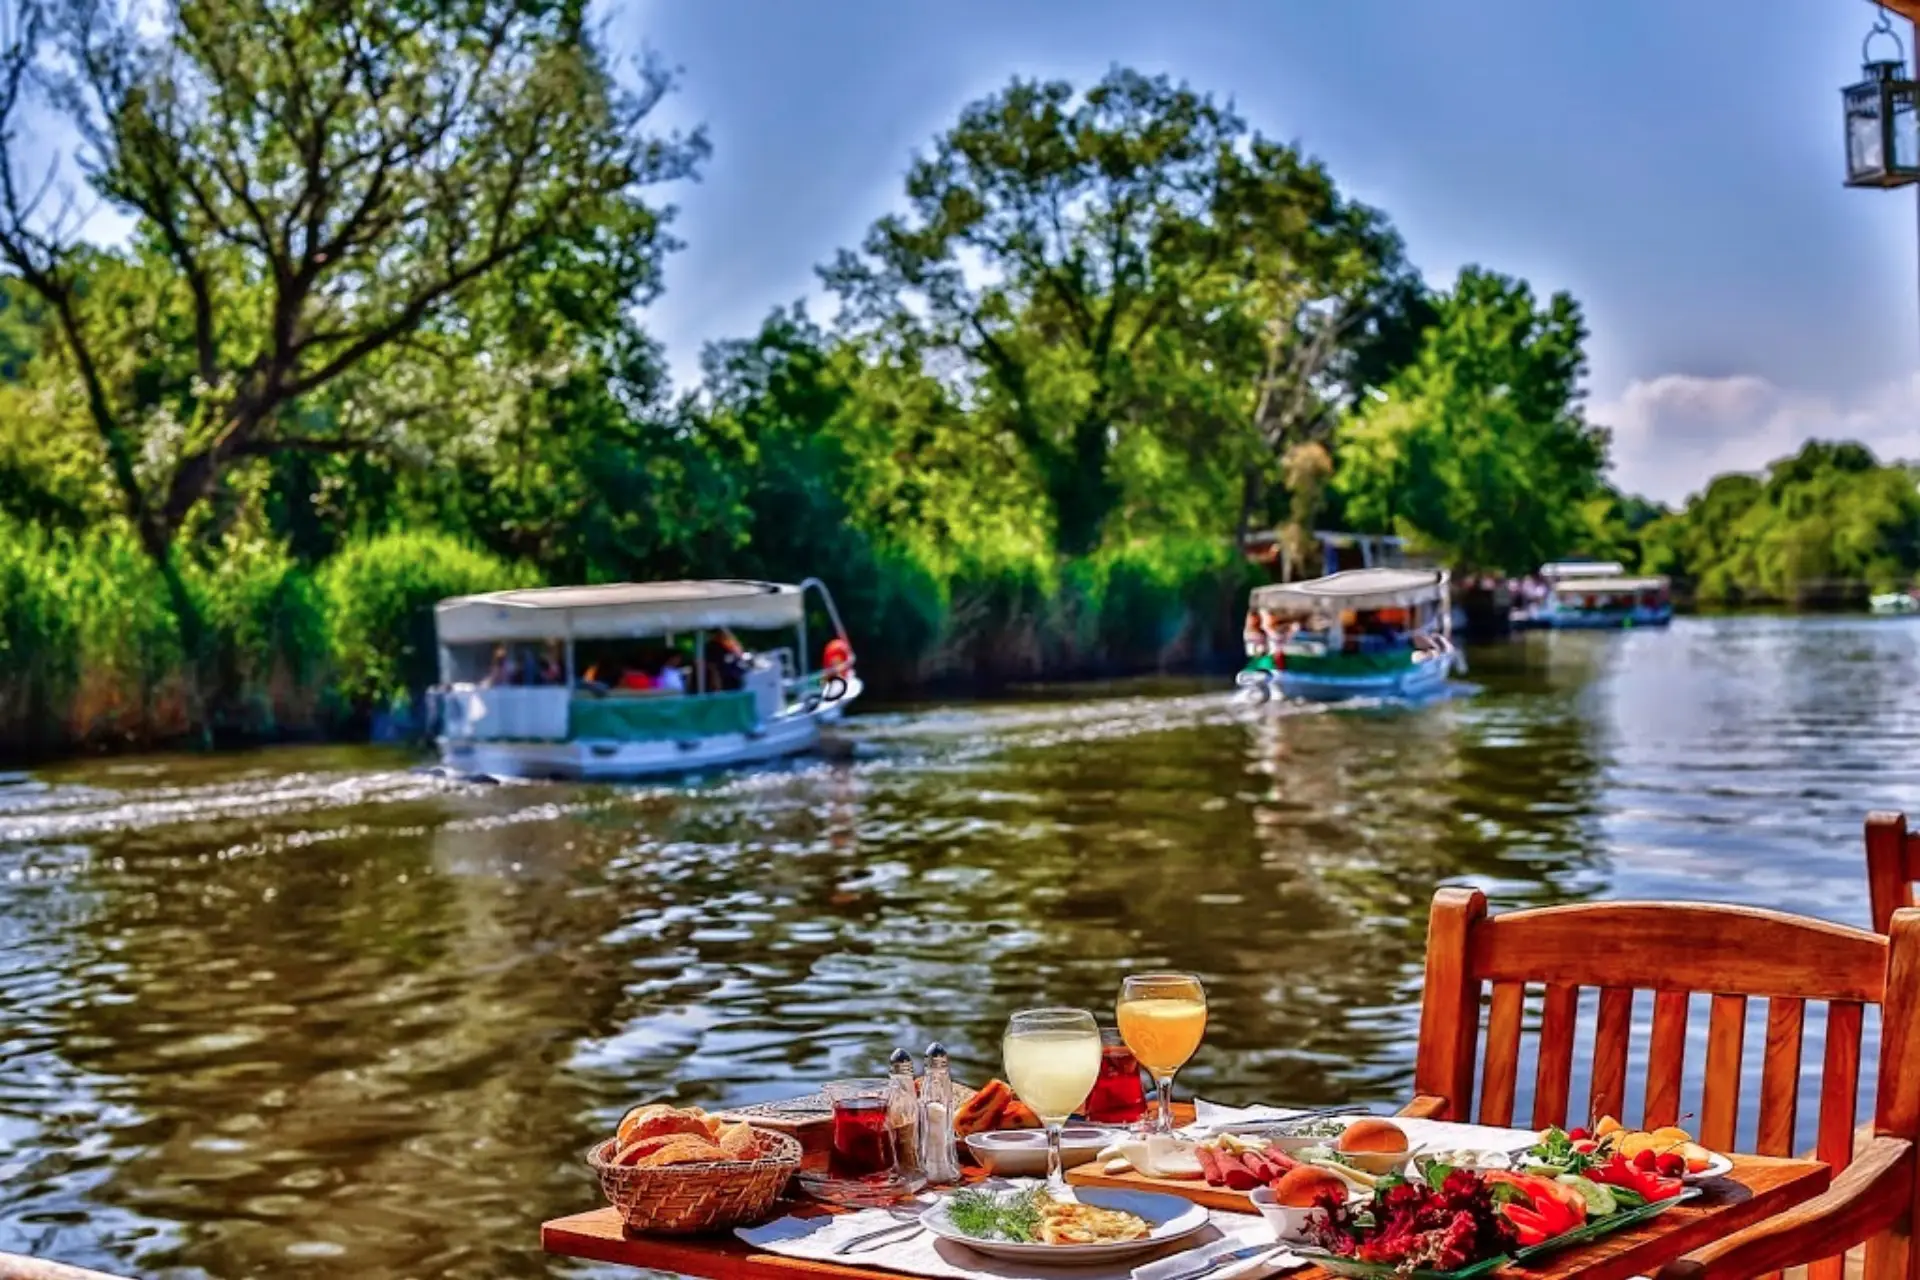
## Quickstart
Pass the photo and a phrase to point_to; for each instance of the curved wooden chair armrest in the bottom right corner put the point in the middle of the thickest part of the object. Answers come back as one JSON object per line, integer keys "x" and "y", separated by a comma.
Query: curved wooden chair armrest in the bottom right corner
{"x": 1875, "y": 1193}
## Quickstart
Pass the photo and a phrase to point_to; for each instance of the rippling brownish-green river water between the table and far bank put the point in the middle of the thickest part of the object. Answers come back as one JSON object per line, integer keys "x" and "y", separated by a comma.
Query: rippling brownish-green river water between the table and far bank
{"x": 312, "y": 1012}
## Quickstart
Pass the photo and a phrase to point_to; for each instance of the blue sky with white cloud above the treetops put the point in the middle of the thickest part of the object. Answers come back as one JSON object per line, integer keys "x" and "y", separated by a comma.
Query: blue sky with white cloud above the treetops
{"x": 1675, "y": 164}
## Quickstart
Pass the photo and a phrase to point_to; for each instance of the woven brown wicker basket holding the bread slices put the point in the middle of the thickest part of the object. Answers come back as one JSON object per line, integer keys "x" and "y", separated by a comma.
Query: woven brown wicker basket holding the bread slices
{"x": 679, "y": 1200}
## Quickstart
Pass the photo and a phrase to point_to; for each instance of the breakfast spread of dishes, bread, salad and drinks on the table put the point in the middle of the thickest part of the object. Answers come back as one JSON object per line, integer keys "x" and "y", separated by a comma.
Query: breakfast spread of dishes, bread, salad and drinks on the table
{"x": 1360, "y": 1195}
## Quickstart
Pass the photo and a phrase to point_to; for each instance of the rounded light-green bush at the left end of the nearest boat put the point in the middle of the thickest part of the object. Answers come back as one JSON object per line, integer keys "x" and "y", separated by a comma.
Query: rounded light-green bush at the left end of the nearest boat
{"x": 379, "y": 598}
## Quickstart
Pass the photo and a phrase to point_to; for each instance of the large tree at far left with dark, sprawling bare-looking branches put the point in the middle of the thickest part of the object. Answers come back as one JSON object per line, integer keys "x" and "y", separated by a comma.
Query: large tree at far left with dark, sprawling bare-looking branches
{"x": 316, "y": 191}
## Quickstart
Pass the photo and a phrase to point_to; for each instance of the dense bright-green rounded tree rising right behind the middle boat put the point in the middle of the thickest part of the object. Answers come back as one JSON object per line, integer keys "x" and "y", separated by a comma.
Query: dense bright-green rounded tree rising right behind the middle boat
{"x": 1479, "y": 450}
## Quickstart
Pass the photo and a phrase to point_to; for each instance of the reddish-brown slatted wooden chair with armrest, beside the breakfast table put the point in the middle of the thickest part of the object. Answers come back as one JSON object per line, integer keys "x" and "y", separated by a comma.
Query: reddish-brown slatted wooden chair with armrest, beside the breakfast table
{"x": 1677, "y": 951}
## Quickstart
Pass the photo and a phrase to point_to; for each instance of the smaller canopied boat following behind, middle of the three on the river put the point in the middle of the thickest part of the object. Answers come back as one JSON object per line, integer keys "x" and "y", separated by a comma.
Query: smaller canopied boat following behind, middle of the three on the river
{"x": 1358, "y": 634}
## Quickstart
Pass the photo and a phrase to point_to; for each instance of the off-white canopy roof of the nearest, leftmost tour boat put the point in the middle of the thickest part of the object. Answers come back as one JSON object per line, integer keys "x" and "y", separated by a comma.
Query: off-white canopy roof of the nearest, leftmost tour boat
{"x": 617, "y": 611}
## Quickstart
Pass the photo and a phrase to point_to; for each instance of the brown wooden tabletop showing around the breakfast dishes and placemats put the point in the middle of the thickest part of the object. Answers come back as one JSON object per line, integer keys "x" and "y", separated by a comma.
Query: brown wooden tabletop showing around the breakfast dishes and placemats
{"x": 1754, "y": 1191}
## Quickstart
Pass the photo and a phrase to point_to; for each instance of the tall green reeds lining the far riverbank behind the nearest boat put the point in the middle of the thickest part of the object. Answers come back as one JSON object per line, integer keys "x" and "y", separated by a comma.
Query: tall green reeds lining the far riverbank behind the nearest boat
{"x": 91, "y": 653}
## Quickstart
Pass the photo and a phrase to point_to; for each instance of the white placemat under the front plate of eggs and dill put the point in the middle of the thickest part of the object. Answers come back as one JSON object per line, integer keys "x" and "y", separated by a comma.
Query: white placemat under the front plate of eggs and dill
{"x": 924, "y": 1254}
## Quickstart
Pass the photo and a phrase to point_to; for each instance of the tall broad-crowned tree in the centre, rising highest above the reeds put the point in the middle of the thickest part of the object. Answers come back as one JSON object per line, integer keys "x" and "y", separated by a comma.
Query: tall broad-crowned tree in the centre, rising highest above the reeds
{"x": 1124, "y": 272}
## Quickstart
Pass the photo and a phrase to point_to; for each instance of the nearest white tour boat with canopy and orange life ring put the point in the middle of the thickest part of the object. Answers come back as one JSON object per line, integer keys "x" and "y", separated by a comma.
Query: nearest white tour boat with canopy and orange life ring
{"x": 635, "y": 680}
